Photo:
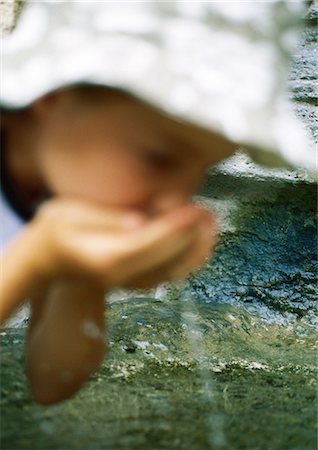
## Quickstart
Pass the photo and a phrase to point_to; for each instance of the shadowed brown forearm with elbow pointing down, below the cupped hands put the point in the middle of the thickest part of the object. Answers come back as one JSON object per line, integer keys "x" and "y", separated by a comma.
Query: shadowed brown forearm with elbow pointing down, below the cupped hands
{"x": 66, "y": 340}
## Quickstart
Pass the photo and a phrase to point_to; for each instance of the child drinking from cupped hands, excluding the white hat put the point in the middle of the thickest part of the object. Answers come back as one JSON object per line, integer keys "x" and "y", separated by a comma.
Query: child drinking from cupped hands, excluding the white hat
{"x": 113, "y": 177}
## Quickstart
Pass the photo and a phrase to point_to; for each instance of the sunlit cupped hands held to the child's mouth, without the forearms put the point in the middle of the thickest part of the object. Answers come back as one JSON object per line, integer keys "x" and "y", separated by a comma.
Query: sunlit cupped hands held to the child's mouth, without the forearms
{"x": 120, "y": 248}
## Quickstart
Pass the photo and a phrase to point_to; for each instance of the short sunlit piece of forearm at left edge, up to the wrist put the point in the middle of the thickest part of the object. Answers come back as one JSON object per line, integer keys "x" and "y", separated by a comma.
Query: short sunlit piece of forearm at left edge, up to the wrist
{"x": 19, "y": 272}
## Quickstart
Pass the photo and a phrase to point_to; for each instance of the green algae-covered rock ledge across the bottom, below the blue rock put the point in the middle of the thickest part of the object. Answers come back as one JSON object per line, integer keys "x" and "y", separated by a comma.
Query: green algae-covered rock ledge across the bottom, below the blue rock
{"x": 148, "y": 393}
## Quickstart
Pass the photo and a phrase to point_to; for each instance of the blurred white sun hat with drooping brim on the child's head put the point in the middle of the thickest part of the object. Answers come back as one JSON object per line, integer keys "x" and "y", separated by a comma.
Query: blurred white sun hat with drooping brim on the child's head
{"x": 222, "y": 65}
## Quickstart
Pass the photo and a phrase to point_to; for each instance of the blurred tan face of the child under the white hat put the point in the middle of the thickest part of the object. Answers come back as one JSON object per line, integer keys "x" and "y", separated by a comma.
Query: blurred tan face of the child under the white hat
{"x": 119, "y": 153}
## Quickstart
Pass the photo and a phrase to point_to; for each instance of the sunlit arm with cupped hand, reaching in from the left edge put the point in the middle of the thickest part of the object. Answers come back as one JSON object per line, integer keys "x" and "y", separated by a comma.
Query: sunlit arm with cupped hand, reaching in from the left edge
{"x": 72, "y": 239}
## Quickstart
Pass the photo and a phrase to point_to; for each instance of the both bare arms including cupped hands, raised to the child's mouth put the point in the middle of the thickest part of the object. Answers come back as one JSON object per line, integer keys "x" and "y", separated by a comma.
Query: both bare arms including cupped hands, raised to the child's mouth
{"x": 66, "y": 259}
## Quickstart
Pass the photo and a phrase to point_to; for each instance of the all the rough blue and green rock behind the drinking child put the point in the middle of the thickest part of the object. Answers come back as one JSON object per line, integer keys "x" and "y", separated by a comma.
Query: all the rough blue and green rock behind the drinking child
{"x": 223, "y": 361}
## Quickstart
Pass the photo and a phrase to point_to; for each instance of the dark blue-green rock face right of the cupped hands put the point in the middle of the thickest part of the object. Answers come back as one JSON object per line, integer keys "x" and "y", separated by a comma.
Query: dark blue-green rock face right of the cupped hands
{"x": 267, "y": 258}
